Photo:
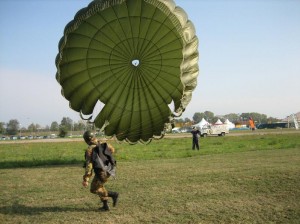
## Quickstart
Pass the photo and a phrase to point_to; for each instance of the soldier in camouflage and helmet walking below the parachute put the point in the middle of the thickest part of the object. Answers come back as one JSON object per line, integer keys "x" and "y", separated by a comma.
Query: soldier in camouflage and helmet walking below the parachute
{"x": 98, "y": 157}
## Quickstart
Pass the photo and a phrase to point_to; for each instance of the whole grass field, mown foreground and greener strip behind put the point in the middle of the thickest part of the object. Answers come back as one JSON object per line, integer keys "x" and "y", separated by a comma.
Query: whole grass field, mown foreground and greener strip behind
{"x": 240, "y": 179}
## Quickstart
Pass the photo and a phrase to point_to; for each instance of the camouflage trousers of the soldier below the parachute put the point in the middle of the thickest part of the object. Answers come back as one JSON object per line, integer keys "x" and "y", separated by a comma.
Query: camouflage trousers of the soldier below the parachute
{"x": 97, "y": 186}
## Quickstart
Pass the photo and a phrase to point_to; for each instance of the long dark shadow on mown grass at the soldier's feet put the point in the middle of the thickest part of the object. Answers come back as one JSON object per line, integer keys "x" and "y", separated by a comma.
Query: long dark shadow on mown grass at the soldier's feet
{"x": 18, "y": 209}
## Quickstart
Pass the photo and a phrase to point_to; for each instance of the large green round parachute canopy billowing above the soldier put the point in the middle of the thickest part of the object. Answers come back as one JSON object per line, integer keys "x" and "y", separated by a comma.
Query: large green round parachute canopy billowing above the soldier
{"x": 137, "y": 57}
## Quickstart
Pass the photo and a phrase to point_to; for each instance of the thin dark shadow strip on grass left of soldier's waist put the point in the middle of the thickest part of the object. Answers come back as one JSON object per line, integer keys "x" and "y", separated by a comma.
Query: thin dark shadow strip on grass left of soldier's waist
{"x": 37, "y": 163}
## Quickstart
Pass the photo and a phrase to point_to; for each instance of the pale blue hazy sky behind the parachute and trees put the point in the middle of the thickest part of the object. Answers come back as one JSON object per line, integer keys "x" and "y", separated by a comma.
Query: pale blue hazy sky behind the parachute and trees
{"x": 249, "y": 58}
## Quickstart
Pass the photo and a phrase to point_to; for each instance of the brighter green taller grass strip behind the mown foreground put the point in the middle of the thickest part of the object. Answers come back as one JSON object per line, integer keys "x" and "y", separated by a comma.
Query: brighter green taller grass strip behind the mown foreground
{"x": 39, "y": 154}
